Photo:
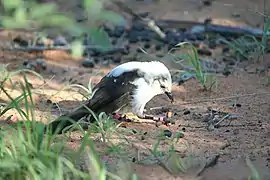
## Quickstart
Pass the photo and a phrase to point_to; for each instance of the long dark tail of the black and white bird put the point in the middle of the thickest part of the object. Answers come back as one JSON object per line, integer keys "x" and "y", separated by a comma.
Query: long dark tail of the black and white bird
{"x": 67, "y": 119}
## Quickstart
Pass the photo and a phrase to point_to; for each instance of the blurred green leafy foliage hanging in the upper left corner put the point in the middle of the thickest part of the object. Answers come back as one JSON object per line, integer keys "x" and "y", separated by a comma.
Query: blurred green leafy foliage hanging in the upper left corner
{"x": 29, "y": 15}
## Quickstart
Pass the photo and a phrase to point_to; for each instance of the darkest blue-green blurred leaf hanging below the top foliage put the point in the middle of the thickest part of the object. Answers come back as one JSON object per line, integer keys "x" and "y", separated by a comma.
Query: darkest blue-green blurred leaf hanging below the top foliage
{"x": 100, "y": 38}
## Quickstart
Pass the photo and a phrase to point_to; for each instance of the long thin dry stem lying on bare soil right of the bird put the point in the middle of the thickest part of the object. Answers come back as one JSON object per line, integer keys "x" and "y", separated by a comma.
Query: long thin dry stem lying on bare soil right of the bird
{"x": 215, "y": 99}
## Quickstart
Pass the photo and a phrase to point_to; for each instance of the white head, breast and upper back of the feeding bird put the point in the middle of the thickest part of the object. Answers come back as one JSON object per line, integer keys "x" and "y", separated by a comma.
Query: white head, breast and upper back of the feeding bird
{"x": 153, "y": 78}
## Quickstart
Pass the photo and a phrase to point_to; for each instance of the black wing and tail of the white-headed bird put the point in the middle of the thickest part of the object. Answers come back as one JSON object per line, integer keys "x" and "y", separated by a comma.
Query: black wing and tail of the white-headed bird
{"x": 110, "y": 94}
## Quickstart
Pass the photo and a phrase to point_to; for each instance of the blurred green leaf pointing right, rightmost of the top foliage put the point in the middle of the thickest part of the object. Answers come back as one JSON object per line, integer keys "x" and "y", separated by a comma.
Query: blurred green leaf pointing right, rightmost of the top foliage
{"x": 112, "y": 17}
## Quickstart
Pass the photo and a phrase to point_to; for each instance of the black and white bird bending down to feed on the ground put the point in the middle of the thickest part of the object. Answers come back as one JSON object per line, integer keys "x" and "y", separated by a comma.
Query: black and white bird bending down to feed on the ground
{"x": 126, "y": 88}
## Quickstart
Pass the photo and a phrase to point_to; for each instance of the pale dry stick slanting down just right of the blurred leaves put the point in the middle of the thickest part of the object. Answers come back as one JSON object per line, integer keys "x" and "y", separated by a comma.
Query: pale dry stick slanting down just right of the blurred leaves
{"x": 150, "y": 23}
